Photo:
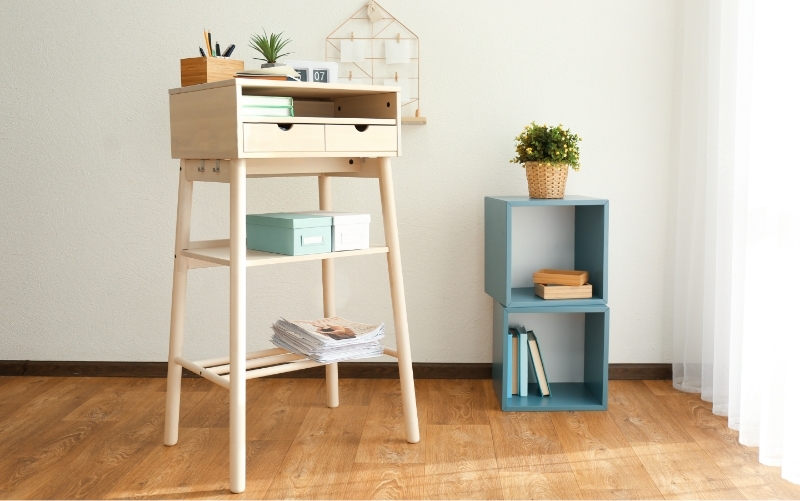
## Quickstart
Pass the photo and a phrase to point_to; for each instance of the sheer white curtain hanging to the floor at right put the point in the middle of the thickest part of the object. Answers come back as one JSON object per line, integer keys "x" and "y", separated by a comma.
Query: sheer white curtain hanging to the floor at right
{"x": 737, "y": 294}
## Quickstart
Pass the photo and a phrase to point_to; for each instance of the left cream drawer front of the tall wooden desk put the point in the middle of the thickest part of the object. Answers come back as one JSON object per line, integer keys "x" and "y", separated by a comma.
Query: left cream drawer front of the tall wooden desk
{"x": 283, "y": 137}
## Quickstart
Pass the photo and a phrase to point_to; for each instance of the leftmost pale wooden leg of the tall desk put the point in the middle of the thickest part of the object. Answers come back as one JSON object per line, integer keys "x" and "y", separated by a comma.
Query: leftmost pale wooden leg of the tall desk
{"x": 180, "y": 269}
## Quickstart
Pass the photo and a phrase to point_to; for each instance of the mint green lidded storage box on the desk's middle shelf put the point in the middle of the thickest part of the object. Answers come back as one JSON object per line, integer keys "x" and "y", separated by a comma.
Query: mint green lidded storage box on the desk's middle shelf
{"x": 289, "y": 233}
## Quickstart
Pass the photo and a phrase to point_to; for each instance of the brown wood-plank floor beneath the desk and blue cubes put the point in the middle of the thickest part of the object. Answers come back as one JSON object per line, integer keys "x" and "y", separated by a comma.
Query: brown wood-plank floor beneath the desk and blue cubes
{"x": 72, "y": 438}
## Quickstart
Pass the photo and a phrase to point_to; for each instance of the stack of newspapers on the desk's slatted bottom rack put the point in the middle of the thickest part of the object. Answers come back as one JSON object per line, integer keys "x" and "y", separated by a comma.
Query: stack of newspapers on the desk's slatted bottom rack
{"x": 328, "y": 340}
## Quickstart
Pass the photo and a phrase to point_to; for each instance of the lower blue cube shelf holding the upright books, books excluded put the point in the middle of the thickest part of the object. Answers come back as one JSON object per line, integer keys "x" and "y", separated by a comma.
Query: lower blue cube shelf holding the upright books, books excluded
{"x": 574, "y": 346}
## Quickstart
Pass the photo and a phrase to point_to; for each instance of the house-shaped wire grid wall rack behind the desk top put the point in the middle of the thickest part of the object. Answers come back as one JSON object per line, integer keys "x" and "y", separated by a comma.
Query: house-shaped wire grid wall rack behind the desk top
{"x": 375, "y": 27}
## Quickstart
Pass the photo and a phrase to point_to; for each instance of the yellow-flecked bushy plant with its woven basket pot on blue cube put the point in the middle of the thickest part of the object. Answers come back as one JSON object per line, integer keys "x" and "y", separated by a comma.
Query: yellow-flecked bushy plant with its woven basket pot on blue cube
{"x": 547, "y": 153}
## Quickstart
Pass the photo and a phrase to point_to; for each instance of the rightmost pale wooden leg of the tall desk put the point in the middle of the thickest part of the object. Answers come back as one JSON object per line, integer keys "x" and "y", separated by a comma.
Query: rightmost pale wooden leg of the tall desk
{"x": 398, "y": 302}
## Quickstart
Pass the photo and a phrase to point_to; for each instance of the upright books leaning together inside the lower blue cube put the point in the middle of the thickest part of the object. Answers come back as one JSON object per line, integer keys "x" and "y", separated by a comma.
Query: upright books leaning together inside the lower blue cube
{"x": 526, "y": 354}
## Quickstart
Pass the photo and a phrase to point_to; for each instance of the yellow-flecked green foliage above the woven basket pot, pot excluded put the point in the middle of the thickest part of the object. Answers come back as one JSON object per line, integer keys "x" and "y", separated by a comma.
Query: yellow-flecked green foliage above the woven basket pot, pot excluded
{"x": 550, "y": 145}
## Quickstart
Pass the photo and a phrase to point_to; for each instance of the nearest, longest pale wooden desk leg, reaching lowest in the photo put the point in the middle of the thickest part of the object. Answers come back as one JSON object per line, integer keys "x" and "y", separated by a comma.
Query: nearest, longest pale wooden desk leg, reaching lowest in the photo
{"x": 238, "y": 336}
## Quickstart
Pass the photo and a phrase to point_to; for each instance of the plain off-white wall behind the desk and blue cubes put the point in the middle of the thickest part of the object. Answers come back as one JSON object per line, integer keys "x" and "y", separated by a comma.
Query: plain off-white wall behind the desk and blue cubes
{"x": 88, "y": 188}
